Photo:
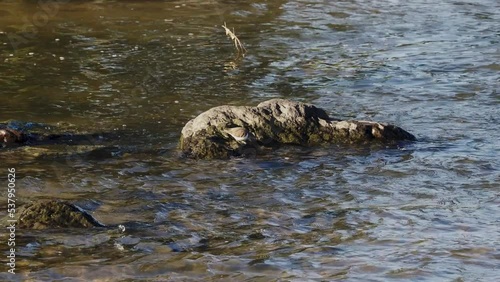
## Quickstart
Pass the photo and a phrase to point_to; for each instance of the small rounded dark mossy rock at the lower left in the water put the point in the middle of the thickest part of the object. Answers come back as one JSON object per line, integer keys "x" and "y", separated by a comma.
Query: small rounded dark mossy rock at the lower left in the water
{"x": 55, "y": 214}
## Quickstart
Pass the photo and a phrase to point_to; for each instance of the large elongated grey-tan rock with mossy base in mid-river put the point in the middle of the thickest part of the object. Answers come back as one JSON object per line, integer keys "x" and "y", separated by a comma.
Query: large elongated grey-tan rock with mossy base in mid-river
{"x": 216, "y": 132}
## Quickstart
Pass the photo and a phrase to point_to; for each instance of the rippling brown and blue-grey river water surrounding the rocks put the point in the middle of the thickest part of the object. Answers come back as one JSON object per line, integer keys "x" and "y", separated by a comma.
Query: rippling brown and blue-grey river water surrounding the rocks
{"x": 139, "y": 70}
